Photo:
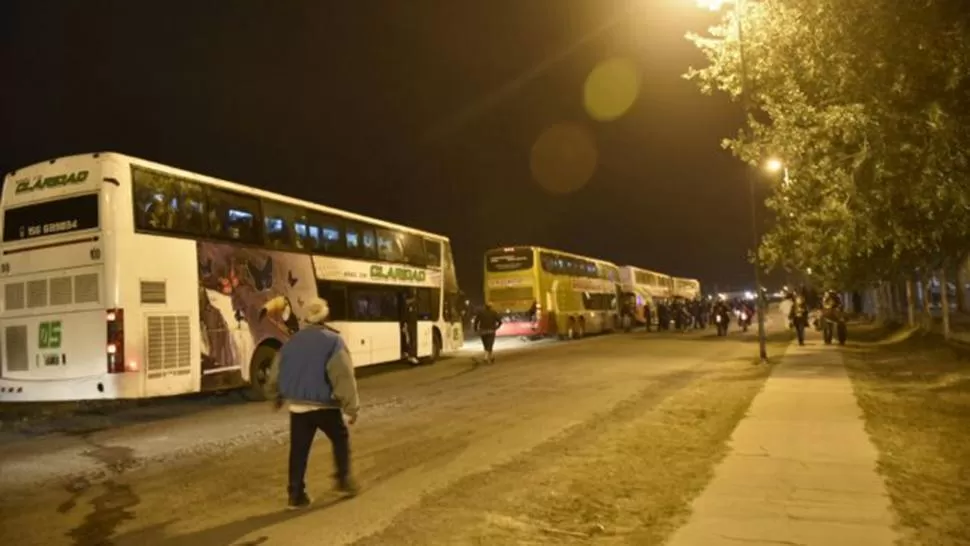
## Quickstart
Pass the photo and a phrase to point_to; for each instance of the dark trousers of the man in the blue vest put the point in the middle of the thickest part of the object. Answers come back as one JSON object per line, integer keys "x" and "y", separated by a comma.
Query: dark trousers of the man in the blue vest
{"x": 303, "y": 427}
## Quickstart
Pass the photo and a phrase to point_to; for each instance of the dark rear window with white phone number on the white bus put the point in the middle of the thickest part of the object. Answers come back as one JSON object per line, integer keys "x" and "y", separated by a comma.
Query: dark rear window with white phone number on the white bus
{"x": 50, "y": 218}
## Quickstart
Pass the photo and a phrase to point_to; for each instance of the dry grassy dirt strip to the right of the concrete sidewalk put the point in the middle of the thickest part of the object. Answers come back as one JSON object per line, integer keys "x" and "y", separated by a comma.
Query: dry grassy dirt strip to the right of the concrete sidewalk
{"x": 915, "y": 394}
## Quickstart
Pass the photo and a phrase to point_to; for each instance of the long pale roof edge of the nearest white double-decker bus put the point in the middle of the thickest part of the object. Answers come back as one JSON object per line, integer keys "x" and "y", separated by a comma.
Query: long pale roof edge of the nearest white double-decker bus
{"x": 236, "y": 187}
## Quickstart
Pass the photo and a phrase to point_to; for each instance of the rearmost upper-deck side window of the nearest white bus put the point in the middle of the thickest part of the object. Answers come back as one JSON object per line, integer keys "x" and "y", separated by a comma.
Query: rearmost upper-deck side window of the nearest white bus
{"x": 167, "y": 203}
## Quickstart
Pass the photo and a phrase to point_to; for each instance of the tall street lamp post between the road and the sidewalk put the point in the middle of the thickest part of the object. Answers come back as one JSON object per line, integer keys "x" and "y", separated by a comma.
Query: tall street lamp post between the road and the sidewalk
{"x": 715, "y": 5}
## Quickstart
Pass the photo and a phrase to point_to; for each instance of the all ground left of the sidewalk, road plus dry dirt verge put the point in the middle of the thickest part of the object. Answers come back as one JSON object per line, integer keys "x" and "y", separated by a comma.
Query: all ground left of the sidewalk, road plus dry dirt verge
{"x": 609, "y": 437}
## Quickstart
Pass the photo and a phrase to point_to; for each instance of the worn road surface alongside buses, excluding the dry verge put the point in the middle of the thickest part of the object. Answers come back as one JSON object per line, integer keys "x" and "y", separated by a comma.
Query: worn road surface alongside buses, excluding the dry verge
{"x": 213, "y": 474}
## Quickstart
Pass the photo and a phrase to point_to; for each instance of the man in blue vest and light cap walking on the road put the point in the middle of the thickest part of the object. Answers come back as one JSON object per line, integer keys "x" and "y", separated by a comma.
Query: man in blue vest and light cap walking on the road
{"x": 316, "y": 378}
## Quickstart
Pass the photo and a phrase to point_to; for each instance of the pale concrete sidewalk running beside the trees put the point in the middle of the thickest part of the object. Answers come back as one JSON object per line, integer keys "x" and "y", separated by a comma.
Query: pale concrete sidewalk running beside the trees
{"x": 801, "y": 471}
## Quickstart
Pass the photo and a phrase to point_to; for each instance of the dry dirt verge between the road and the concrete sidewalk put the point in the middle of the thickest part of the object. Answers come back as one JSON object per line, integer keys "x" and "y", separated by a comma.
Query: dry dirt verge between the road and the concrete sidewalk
{"x": 625, "y": 477}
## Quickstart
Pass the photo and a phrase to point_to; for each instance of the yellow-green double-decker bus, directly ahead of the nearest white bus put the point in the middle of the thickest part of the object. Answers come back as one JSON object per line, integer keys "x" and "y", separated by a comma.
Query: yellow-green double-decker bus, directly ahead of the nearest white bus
{"x": 541, "y": 292}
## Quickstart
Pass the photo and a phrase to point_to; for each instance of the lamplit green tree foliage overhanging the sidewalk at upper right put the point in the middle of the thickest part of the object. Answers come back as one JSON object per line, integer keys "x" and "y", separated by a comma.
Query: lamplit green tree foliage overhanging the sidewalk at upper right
{"x": 868, "y": 103}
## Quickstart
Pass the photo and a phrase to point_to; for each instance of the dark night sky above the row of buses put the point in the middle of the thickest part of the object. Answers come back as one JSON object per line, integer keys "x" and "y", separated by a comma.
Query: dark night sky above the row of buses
{"x": 418, "y": 112}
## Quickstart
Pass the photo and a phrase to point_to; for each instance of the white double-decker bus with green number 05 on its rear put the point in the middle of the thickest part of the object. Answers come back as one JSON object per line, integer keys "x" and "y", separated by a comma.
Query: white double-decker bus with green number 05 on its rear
{"x": 124, "y": 278}
